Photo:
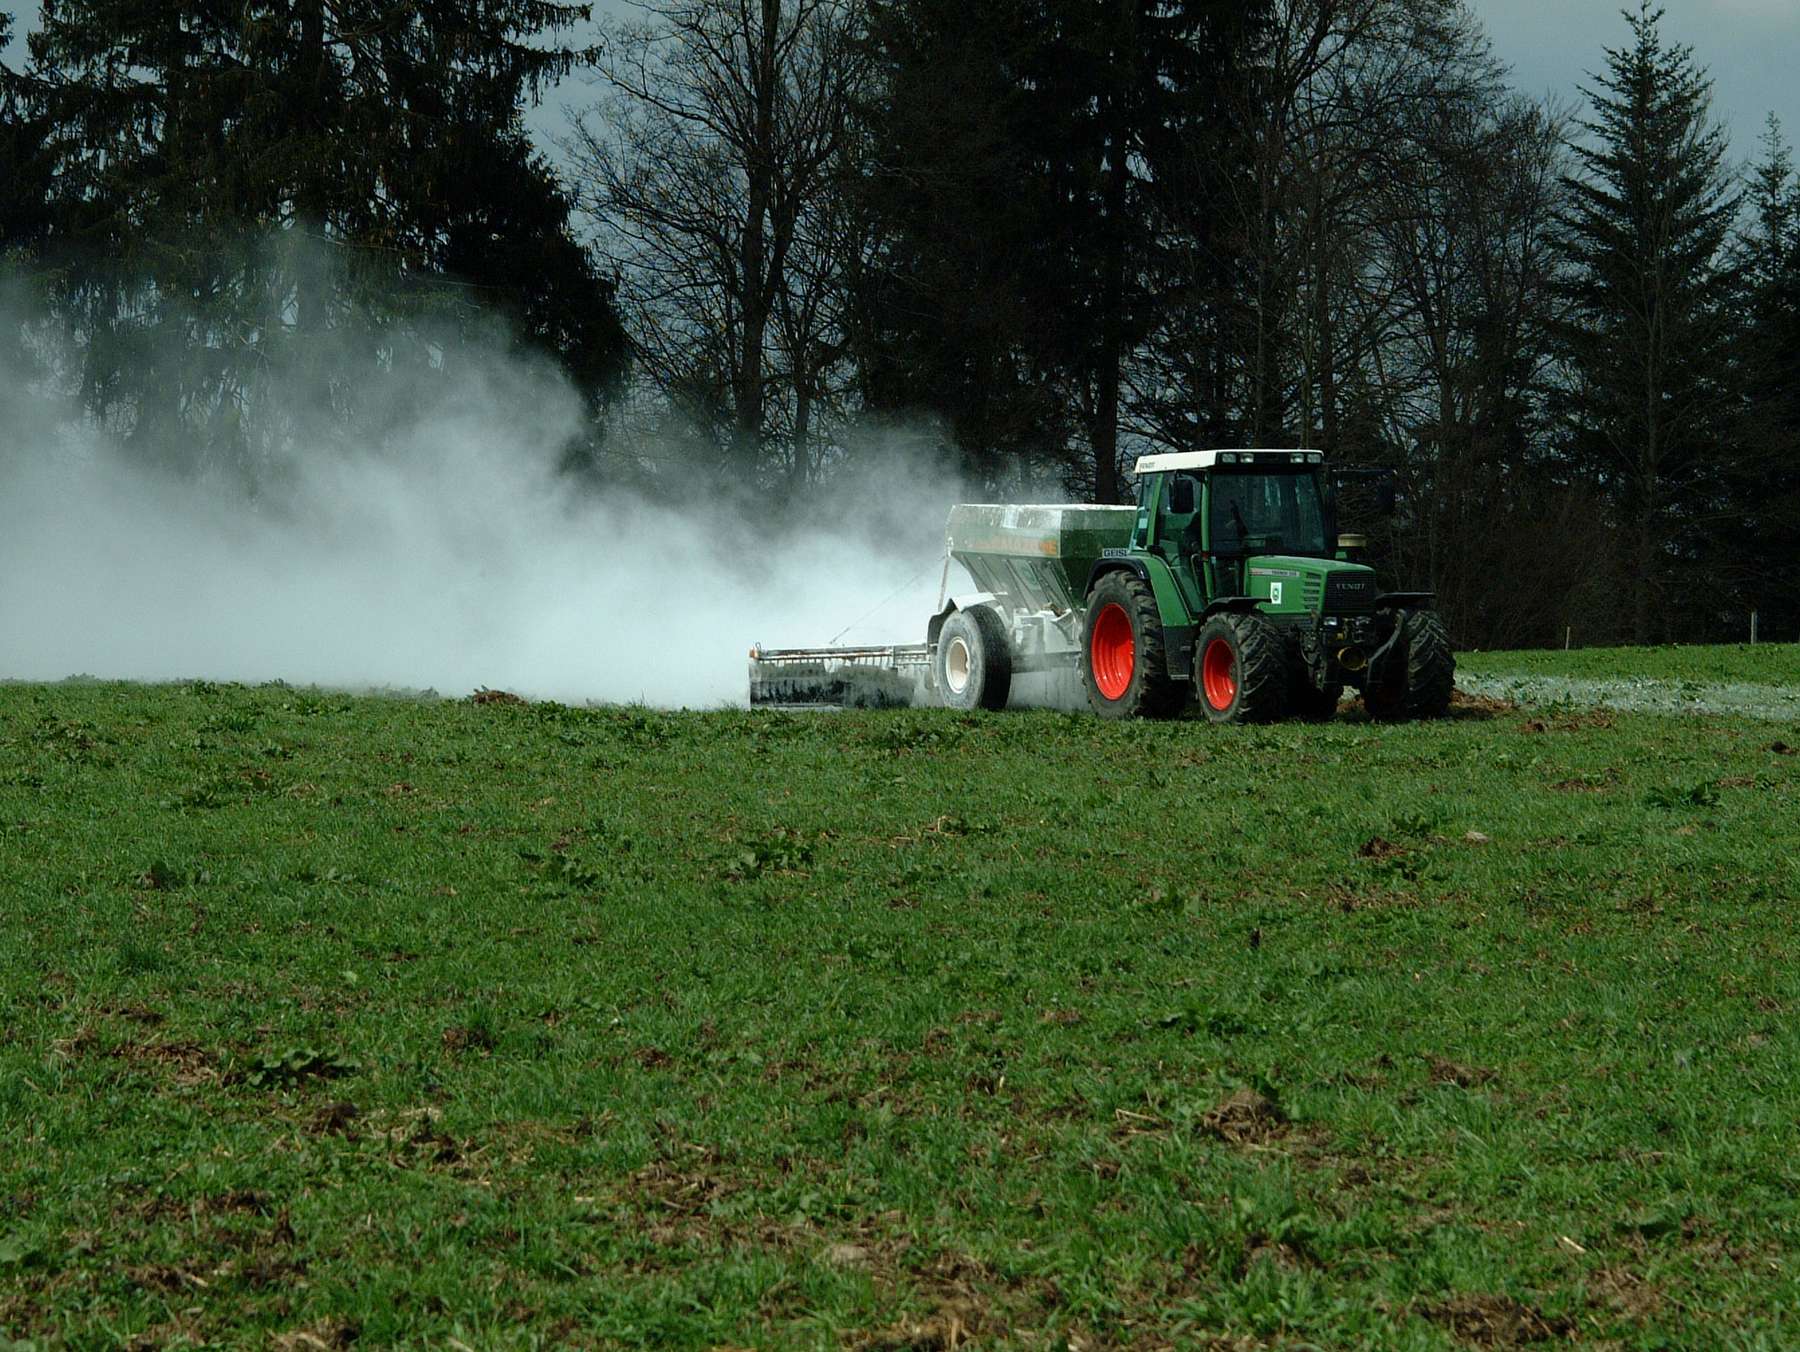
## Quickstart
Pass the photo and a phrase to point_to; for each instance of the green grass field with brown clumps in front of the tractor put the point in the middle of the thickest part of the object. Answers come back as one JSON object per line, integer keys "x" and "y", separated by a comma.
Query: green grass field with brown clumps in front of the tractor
{"x": 372, "y": 1022}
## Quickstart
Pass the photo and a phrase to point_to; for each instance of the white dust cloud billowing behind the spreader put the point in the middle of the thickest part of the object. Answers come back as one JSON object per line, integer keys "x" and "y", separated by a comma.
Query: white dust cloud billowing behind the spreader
{"x": 451, "y": 557}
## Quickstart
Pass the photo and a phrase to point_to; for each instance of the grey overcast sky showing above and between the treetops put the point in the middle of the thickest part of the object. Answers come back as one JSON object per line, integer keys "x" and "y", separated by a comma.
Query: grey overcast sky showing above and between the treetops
{"x": 1750, "y": 48}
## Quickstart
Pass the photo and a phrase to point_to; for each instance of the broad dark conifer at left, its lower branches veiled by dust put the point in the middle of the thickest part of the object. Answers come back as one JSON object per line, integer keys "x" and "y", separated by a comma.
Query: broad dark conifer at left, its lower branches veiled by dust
{"x": 247, "y": 190}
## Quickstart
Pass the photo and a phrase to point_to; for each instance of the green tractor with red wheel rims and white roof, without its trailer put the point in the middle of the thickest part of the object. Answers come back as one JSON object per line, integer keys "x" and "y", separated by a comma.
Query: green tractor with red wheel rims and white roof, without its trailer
{"x": 1234, "y": 586}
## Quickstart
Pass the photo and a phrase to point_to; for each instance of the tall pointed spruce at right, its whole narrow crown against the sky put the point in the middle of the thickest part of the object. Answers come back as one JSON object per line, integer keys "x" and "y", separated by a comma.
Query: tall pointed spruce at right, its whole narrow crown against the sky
{"x": 1650, "y": 298}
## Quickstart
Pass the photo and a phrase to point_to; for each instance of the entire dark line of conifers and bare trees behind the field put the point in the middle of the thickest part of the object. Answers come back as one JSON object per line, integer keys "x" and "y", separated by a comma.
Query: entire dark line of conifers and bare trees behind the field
{"x": 1054, "y": 233}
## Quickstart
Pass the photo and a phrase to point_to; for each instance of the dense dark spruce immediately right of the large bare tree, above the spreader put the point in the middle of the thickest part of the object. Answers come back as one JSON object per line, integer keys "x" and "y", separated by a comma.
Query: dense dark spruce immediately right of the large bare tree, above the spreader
{"x": 964, "y": 309}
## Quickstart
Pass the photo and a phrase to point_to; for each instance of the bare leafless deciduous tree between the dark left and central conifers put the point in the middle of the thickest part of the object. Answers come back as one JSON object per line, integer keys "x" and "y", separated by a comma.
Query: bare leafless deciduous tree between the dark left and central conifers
{"x": 708, "y": 170}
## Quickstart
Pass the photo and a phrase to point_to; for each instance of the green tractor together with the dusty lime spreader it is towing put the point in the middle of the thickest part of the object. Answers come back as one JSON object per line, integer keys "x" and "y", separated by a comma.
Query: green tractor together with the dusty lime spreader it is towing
{"x": 1227, "y": 582}
